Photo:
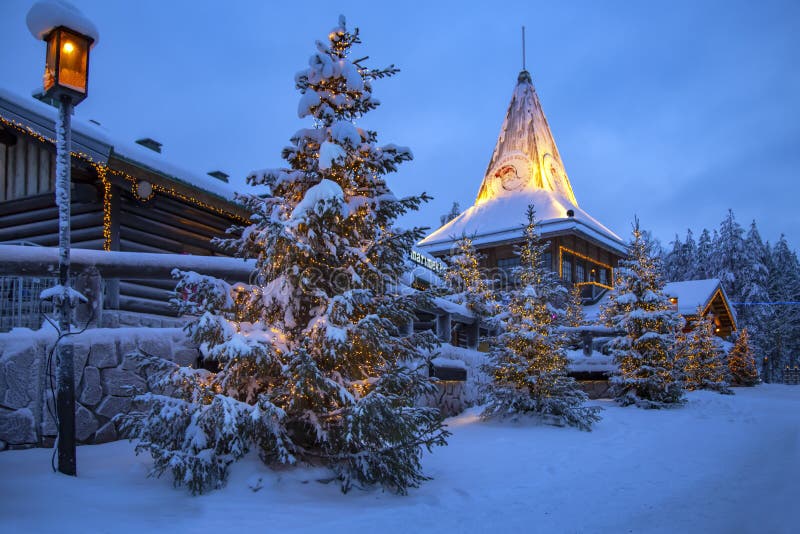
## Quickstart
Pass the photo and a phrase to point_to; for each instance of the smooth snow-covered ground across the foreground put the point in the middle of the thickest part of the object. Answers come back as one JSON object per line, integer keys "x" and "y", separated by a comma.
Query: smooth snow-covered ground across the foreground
{"x": 720, "y": 464}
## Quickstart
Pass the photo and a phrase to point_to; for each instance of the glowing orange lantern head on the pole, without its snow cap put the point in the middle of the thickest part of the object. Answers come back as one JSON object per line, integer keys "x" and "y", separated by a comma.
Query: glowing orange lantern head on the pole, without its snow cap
{"x": 67, "y": 63}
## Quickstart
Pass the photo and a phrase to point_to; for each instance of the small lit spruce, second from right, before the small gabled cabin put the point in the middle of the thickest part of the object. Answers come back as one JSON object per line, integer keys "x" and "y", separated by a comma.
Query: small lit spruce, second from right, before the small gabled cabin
{"x": 703, "y": 358}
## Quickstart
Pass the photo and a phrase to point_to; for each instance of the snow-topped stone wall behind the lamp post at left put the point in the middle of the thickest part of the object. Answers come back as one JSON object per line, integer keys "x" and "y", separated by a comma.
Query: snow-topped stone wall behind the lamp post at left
{"x": 105, "y": 380}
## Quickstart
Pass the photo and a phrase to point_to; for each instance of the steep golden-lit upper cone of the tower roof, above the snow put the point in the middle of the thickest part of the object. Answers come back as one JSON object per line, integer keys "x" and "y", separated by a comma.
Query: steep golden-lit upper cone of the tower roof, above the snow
{"x": 526, "y": 156}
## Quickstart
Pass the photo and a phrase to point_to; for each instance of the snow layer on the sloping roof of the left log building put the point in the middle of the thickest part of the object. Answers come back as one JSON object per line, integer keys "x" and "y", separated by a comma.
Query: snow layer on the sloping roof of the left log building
{"x": 40, "y": 117}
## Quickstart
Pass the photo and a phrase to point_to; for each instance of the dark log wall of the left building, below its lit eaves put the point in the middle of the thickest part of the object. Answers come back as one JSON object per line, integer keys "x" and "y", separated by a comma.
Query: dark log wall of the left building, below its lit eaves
{"x": 28, "y": 213}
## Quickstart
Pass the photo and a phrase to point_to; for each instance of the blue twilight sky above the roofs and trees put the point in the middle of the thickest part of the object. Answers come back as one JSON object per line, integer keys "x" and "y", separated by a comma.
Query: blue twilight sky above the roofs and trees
{"x": 672, "y": 110}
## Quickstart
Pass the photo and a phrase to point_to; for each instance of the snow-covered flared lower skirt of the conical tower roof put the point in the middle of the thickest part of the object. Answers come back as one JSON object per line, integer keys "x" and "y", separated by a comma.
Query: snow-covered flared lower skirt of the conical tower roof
{"x": 504, "y": 217}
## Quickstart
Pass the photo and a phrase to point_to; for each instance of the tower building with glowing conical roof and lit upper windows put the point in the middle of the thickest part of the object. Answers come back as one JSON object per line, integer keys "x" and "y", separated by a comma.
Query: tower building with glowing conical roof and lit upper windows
{"x": 526, "y": 169}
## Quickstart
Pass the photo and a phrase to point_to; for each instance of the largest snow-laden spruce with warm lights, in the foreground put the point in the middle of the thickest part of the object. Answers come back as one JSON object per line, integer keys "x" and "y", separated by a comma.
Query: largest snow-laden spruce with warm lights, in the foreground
{"x": 312, "y": 367}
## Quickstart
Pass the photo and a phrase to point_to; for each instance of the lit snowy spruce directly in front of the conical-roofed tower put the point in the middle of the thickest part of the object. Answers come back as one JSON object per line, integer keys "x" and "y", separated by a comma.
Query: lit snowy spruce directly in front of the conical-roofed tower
{"x": 527, "y": 363}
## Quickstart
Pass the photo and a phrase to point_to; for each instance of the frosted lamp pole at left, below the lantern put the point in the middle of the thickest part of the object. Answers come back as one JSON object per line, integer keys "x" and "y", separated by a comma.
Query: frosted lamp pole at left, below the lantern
{"x": 65, "y": 374}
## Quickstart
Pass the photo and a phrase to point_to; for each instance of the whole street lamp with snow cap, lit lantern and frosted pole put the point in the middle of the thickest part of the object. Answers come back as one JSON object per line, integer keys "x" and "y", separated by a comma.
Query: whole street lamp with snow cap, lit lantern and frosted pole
{"x": 69, "y": 36}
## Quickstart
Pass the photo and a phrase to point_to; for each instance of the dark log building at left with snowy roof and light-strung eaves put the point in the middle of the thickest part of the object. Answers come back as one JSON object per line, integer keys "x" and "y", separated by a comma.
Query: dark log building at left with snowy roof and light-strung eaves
{"x": 125, "y": 197}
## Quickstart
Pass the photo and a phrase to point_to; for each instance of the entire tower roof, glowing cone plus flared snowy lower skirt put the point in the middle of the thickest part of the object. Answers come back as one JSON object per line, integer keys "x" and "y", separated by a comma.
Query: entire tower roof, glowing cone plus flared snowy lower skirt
{"x": 525, "y": 169}
